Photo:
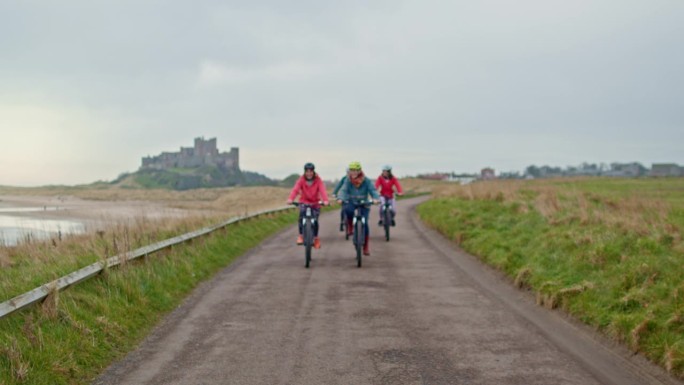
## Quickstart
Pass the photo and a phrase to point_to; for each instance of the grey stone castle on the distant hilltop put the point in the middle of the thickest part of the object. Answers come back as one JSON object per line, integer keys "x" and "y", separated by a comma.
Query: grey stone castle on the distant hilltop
{"x": 205, "y": 153}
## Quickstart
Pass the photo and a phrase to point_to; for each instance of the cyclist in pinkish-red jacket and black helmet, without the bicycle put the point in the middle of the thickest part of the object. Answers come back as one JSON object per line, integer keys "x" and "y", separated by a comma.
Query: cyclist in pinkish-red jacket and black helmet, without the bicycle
{"x": 311, "y": 190}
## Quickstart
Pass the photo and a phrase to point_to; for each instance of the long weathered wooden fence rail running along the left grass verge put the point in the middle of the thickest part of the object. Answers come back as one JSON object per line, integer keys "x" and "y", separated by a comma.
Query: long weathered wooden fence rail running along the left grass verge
{"x": 41, "y": 292}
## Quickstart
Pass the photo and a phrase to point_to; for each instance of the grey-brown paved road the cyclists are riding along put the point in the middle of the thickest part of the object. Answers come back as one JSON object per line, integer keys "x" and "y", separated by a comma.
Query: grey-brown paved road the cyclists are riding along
{"x": 419, "y": 311}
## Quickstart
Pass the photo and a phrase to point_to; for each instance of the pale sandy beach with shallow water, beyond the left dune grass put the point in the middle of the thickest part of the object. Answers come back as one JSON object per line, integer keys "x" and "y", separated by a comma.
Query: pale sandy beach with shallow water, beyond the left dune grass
{"x": 44, "y": 215}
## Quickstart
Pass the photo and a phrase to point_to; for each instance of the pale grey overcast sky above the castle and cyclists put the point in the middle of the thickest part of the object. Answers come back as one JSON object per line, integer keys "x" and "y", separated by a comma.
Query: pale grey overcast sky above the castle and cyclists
{"x": 87, "y": 88}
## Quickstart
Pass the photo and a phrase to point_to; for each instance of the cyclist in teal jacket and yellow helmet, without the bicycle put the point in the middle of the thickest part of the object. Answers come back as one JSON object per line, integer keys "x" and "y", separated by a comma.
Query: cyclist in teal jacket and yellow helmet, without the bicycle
{"x": 355, "y": 189}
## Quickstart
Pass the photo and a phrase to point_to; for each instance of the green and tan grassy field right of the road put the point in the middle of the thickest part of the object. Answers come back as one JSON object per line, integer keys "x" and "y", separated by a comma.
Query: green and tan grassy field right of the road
{"x": 607, "y": 251}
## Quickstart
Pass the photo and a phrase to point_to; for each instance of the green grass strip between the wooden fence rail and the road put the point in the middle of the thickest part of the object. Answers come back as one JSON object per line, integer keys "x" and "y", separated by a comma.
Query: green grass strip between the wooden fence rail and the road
{"x": 75, "y": 334}
